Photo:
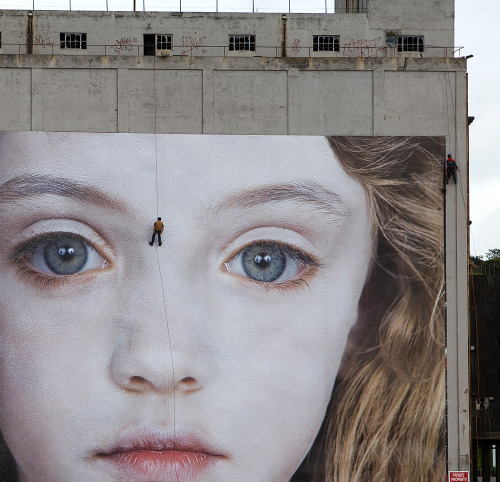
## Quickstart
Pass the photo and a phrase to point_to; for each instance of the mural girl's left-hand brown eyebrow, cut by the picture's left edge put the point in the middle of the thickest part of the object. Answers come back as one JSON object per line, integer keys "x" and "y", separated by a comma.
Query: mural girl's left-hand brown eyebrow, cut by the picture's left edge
{"x": 27, "y": 185}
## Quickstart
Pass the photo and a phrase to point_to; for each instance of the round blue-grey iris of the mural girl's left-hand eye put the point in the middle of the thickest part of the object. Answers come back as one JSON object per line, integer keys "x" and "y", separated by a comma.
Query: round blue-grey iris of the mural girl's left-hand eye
{"x": 65, "y": 255}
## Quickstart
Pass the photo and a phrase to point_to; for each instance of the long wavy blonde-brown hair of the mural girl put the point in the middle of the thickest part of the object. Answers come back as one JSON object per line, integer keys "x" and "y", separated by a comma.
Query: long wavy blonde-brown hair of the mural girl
{"x": 386, "y": 418}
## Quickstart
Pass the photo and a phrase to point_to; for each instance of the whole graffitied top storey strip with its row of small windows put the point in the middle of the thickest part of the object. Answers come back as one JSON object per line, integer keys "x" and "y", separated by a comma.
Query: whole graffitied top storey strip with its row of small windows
{"x": 271, "y": 35}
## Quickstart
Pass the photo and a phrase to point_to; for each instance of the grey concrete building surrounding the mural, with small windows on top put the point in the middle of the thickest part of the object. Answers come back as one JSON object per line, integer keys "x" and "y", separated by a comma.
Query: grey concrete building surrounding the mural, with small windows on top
{"x": 376, "y": 68}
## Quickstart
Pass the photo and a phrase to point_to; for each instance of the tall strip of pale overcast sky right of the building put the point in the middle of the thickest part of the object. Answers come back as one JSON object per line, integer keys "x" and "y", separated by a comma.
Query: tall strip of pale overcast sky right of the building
{"x": 475, "y": 25}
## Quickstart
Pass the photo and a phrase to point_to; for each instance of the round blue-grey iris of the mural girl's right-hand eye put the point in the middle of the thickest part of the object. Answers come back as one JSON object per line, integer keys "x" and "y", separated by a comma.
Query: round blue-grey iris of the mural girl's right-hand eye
{"x": 263, "y": 262}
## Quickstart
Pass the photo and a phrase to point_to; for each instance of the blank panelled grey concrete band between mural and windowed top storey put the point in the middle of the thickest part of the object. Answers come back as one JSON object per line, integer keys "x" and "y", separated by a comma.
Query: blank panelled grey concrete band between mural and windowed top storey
{"x": 231, "y": 95}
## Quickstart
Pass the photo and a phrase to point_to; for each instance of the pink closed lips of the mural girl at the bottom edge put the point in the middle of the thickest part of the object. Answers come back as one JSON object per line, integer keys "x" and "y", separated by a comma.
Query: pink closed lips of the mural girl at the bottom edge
{"x": 150, "y": 456}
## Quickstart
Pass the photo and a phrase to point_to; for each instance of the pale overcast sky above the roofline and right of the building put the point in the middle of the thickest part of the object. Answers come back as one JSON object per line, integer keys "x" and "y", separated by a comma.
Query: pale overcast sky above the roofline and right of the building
{"x": 476, "y": 22}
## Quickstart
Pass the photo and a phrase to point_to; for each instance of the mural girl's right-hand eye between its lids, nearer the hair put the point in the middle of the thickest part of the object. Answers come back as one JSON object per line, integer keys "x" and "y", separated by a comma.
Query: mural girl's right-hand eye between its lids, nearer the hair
{"x": 269, "y": 261}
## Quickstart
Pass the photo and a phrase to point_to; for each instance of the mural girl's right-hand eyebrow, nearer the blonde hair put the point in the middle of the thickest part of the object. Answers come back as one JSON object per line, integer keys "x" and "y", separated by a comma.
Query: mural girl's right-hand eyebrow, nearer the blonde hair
{"x": 310, "y": 193}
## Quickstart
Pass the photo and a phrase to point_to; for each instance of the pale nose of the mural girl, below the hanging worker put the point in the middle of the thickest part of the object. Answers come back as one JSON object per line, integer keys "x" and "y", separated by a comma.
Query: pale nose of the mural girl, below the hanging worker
{"x": 158, "y": 346}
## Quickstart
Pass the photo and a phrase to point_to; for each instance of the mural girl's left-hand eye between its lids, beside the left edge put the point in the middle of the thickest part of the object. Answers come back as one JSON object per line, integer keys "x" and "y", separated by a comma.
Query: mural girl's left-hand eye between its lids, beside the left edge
{"x": 61, "y": 254}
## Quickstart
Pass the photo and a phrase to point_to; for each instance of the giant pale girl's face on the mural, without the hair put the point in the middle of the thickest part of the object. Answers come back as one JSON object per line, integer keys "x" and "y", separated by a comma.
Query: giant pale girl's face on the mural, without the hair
{"x": 210, "y": 358}
